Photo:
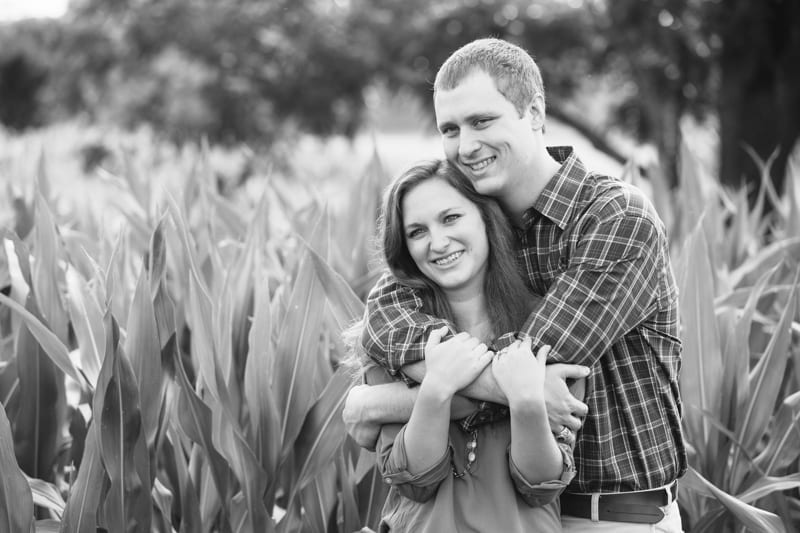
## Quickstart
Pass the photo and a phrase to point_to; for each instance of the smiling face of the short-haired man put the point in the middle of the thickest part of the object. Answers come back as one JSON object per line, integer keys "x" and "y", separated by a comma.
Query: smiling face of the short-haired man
{"x": 484, "y": 135}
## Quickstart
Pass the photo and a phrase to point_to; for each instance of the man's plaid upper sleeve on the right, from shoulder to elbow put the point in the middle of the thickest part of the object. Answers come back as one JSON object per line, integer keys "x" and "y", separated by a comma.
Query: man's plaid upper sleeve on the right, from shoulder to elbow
{"x": 607, "y": 289}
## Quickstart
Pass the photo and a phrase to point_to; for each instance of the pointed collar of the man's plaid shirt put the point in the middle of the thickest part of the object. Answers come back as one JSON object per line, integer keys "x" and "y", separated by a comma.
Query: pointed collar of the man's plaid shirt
{"x": 558, "y": 199}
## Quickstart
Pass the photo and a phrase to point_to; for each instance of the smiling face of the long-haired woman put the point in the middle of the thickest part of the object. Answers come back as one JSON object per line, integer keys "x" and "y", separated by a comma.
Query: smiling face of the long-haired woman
{"x": 445, "y": 235}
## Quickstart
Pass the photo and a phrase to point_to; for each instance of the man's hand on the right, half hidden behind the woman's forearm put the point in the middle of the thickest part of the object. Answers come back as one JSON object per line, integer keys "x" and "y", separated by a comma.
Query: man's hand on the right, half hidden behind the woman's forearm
{"x": 564, "y": 409}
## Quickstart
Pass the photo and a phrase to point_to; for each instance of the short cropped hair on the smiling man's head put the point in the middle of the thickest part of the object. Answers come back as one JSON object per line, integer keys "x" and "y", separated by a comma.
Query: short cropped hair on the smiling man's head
{"x": 513, "y": 70}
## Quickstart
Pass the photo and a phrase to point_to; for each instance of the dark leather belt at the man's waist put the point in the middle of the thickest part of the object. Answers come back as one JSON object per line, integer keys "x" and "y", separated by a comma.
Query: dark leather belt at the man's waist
{"x": 640, "y": 507}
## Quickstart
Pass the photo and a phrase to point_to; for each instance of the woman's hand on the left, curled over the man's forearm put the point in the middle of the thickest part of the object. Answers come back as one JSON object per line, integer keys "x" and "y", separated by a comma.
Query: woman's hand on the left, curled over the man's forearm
{"x": 455, "y": 363}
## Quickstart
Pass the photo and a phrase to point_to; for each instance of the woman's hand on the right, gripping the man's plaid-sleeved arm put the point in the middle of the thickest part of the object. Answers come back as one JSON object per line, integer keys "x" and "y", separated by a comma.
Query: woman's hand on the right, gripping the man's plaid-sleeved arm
{"x": 519, "y": 374}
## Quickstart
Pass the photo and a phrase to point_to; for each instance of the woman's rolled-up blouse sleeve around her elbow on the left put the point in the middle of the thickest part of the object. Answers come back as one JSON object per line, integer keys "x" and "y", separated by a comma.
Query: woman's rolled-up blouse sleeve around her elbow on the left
{"x": 393, "y": 464}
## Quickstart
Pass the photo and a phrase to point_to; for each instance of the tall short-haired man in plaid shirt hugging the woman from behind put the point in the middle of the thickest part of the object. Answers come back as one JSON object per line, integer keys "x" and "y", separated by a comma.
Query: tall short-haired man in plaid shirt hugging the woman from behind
{"x": 596, "y": 251}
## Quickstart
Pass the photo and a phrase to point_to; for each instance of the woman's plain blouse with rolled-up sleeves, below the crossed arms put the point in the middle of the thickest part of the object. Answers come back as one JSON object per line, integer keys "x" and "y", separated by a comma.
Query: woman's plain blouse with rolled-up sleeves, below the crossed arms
{"x": 492, "y": 496}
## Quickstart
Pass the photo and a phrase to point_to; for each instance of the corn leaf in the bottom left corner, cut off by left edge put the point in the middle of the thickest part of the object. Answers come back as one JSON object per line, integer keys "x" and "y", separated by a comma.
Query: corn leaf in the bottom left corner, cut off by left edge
{"x": 16, "y": 501}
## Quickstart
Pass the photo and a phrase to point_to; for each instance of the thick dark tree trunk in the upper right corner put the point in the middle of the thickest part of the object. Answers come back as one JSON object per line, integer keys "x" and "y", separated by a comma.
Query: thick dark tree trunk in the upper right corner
{"x": 759, "y": 100}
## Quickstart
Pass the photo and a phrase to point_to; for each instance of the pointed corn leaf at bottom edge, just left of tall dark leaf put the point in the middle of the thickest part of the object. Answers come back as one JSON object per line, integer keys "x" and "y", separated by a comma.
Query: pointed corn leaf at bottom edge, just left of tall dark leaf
{"x": 80, "y": 512}
